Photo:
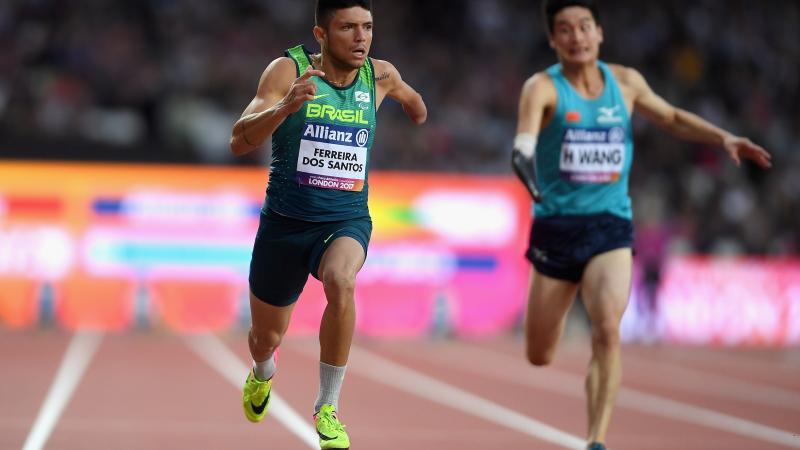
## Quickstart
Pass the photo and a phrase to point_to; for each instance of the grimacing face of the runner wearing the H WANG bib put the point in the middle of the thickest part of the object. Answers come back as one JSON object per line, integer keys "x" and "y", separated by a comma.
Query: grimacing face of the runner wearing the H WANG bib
{"x": 576, "y": 37}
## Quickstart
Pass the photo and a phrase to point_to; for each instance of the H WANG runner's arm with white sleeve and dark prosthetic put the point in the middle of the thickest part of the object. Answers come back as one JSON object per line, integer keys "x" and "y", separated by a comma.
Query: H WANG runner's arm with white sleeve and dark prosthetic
{"x": 537, "y": 94}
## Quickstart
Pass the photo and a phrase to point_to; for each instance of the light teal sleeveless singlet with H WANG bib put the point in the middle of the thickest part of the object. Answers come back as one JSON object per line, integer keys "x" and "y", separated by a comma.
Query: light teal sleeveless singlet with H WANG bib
{"x": 584, "y": 156}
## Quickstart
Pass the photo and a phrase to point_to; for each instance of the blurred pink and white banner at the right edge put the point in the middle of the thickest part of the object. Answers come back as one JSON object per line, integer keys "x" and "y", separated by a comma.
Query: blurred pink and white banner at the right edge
{"x": 730, "y": 301}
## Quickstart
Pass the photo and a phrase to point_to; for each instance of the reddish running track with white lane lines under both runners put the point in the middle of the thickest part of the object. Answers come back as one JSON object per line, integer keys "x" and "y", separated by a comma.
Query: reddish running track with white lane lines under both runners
{"x": 157, "y": 390}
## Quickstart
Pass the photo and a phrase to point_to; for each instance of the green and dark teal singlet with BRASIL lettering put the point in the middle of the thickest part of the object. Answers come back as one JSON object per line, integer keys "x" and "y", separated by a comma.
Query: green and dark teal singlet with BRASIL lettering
{"x": 320, "y": 154}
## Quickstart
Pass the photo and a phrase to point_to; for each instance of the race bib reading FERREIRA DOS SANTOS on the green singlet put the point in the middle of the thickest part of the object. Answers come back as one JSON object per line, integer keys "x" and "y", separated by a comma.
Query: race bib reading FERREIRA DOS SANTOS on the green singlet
{"x": 333, "y": 157}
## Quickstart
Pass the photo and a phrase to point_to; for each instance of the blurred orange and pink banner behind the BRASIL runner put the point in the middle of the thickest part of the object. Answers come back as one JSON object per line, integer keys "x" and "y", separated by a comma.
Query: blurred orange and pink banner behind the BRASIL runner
{"x": 118, "y": 246}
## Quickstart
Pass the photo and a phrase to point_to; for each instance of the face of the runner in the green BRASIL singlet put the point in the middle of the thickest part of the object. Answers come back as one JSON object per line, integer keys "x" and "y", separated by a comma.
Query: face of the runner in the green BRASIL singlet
{"x": 347, "y": 37}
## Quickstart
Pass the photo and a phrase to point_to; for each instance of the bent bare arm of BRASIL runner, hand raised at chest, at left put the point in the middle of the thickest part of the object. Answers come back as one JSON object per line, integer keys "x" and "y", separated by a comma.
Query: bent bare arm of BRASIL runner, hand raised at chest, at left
{"x": 279, "y": 94}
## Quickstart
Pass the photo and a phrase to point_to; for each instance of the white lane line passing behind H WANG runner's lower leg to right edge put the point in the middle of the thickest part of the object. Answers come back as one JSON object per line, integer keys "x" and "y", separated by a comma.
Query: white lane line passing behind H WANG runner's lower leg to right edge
{"x": 566, "y": 383}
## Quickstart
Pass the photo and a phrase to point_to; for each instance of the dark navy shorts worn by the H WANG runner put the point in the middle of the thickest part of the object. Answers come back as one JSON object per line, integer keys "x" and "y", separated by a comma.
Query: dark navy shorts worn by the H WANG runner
{"x": 562, "y": 246}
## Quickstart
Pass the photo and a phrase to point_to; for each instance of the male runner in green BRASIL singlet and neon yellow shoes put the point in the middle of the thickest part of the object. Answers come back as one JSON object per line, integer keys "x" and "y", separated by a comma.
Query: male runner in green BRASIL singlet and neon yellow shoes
{"x": 319, "y": 110}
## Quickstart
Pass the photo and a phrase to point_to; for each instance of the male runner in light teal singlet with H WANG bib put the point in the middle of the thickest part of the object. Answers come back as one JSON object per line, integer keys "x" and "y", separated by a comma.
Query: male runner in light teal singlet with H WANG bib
{"x": 573, "y": 152}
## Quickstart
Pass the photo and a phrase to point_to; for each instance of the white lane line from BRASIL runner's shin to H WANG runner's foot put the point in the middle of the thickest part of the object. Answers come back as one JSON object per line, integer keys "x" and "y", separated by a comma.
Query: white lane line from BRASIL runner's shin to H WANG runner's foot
{"x": 384, "y": 371}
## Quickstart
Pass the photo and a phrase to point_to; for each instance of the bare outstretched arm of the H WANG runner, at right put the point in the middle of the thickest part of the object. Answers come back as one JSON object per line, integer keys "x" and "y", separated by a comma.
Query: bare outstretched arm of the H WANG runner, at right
{"x": 690, "y": 126}
